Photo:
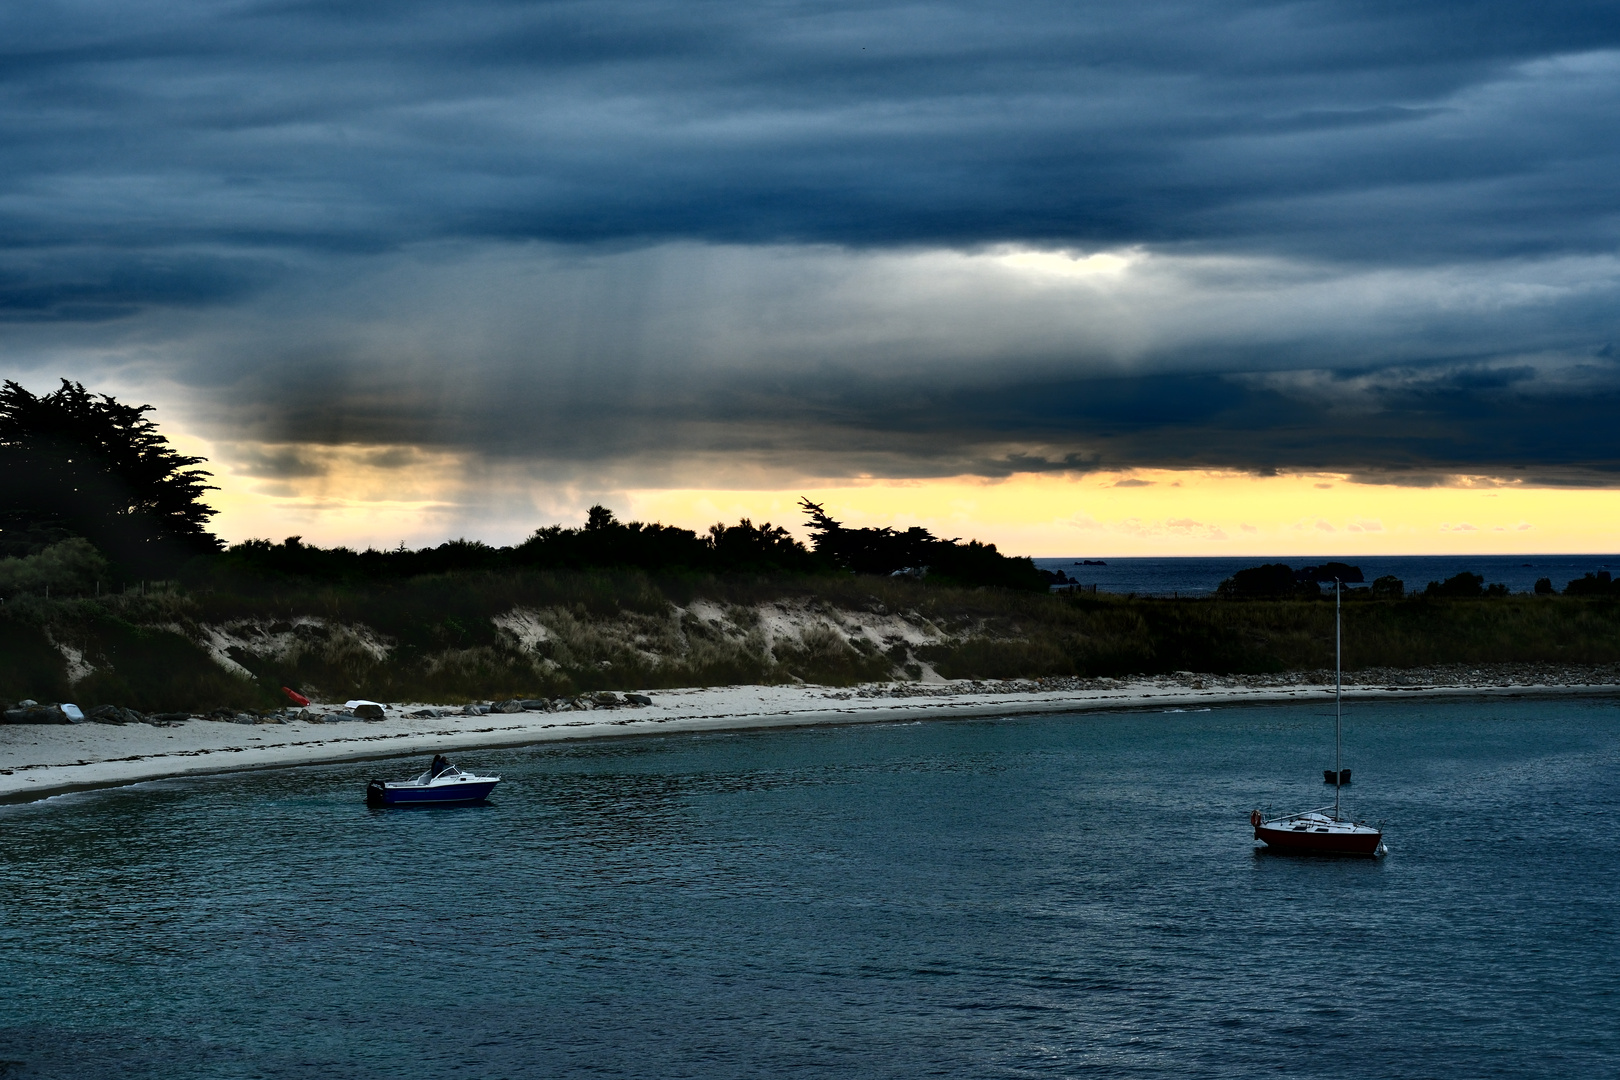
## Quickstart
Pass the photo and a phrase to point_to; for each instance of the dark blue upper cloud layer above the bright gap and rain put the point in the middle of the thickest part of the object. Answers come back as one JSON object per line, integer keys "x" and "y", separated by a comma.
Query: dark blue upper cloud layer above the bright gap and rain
{"x": 1234, "y": 124}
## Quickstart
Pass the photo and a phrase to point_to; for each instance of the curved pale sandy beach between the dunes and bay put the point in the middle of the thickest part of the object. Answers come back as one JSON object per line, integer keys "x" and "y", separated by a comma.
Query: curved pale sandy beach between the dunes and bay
{"x": 41, "y": 762}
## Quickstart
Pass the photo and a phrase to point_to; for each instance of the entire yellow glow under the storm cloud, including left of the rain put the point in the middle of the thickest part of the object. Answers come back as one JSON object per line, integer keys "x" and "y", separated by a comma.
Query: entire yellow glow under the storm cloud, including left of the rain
{"x": 378, "y": 498}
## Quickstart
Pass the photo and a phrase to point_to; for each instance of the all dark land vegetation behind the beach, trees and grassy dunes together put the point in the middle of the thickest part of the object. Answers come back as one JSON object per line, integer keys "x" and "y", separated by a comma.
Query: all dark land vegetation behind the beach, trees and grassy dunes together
{"x": 93, "y": 498}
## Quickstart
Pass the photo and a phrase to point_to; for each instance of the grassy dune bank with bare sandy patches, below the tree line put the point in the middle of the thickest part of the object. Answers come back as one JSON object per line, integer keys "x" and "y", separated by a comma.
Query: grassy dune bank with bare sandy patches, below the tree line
{"x": 451, "y": 639}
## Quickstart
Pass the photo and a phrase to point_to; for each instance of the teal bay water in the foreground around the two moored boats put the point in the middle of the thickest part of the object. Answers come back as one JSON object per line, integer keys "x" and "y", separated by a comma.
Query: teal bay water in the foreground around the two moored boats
{"x": 1060, "y": 896}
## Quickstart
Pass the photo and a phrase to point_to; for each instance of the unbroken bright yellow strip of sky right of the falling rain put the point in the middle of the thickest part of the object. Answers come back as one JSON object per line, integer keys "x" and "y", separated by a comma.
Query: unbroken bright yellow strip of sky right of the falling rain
{"x": 1193, "y": 514}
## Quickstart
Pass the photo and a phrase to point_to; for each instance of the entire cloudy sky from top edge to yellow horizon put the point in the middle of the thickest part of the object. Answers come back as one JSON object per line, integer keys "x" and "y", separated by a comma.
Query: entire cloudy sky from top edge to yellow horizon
{"x": 1135, "y": 278}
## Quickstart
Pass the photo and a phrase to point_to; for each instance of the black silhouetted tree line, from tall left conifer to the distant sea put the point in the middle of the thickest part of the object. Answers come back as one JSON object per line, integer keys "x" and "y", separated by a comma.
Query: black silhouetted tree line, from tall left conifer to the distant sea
{"x": 90, "y": 483}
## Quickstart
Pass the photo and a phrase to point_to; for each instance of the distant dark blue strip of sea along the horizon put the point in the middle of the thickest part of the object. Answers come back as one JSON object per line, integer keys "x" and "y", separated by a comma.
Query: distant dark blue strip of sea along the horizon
{"x": 1200, "y": 577}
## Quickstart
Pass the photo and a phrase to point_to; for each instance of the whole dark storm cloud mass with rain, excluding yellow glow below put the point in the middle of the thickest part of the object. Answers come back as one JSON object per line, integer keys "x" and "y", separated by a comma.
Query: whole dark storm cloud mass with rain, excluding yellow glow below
{"x": 168, "y": 161}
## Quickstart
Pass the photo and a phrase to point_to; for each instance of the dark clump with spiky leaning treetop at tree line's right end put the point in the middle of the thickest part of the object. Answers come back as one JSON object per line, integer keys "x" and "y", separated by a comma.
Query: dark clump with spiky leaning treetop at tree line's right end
{"x": 918, "y": 551}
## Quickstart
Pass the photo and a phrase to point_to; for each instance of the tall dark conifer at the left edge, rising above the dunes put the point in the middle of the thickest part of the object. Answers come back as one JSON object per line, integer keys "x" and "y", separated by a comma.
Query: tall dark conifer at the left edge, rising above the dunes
{"x": 80, "y": 464}
